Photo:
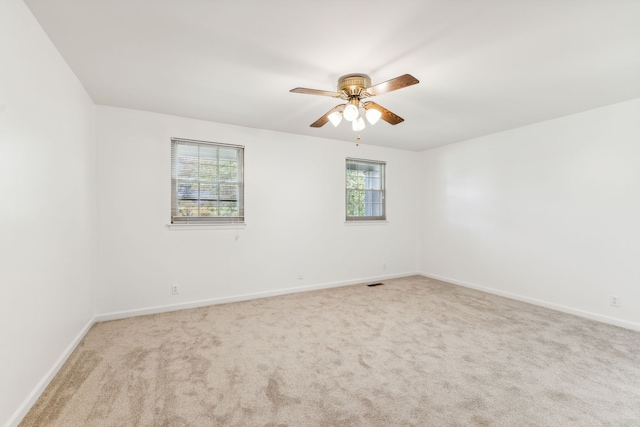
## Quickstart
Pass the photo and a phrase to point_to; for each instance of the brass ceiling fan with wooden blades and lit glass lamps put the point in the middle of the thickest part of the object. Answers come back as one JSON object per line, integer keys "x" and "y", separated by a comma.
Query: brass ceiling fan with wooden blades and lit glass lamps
{"x": 353, "y": 88}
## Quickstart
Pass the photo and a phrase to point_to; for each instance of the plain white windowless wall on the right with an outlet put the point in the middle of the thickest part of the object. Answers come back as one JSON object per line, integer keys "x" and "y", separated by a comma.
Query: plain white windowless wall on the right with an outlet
{"x": 548, "y": 213}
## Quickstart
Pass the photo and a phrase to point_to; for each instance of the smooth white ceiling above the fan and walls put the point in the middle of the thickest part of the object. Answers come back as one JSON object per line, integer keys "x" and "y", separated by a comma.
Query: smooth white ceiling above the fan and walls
{"x": 484, "y": 65}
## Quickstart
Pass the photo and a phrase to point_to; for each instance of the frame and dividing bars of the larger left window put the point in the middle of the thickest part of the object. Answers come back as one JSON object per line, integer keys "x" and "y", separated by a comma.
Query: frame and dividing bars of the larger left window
{"x": 206, "y": 220}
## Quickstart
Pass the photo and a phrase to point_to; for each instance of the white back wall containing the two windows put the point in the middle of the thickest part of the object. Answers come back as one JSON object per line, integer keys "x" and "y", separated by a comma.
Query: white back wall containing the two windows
{"x": 294, "y": 211}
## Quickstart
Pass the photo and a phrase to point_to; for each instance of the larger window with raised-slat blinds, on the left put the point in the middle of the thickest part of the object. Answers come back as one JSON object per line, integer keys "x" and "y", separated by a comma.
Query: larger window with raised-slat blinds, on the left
{"x": 206, "y": 182}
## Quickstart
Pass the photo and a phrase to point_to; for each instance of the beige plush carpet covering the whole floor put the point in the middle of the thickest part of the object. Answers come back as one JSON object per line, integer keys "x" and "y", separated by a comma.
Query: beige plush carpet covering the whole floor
{"x": 414, "y": 352}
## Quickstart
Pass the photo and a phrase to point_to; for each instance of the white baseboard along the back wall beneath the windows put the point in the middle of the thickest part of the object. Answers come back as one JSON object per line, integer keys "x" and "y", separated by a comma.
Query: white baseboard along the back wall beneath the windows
{"x": 242, "y": 297}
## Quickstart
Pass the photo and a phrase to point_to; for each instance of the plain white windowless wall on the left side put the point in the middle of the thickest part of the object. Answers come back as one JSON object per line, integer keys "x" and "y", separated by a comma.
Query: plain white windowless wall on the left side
{"x": 48, "y": 211}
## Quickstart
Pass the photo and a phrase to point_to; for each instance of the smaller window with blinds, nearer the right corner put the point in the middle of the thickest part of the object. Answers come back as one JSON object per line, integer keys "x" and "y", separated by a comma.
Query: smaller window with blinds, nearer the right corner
{"x": 365, "y": 190}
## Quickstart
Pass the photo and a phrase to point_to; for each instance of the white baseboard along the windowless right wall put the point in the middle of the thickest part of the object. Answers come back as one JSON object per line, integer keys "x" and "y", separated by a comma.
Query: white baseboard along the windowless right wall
{"x": 565, "y": 309}
